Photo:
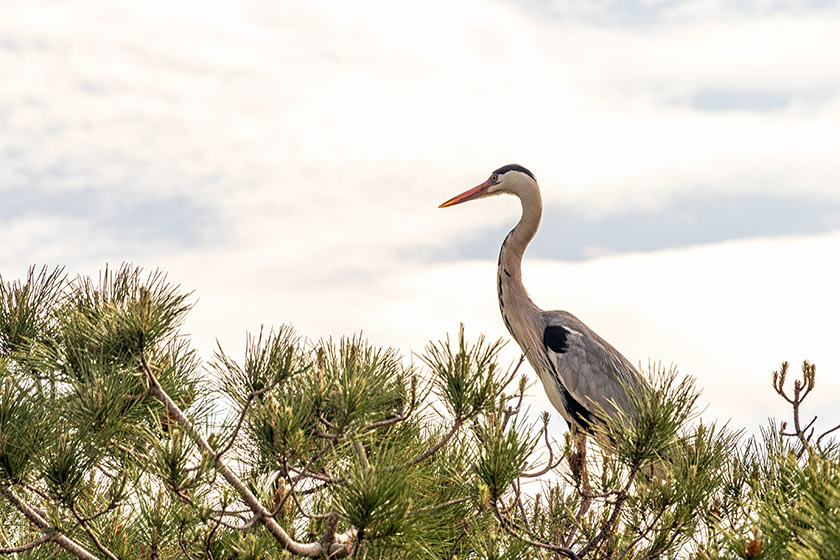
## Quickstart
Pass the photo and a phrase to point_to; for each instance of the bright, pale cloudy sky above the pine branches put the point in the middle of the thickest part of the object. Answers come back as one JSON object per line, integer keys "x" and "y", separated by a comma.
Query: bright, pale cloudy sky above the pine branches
{"x": 284, "y": 162}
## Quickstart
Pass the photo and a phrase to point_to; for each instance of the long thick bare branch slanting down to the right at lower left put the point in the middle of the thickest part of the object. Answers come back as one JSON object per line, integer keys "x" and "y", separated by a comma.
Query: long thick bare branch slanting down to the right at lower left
{"x": 339, "y": 548}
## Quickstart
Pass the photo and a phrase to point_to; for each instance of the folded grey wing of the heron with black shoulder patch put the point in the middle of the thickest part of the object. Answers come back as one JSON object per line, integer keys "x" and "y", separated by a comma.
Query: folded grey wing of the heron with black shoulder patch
{"x": 587, "y": 367}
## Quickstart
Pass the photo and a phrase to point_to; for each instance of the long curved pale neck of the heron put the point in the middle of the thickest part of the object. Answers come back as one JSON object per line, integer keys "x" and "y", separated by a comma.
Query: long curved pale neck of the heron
{"x": 515, "y": 304}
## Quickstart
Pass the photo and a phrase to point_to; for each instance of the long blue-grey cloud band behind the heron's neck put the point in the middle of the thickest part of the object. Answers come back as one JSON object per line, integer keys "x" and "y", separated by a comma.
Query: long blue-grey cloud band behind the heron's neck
{"x": 682, "y": 220}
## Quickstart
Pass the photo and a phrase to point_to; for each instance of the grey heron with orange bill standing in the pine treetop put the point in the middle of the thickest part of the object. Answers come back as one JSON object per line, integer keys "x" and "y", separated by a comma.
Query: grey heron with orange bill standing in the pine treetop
{"x": 581, "y": 373}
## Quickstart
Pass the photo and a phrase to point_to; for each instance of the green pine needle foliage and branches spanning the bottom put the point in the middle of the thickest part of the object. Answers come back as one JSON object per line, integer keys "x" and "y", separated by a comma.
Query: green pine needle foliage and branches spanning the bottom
{"x": 116, "y": 441}
